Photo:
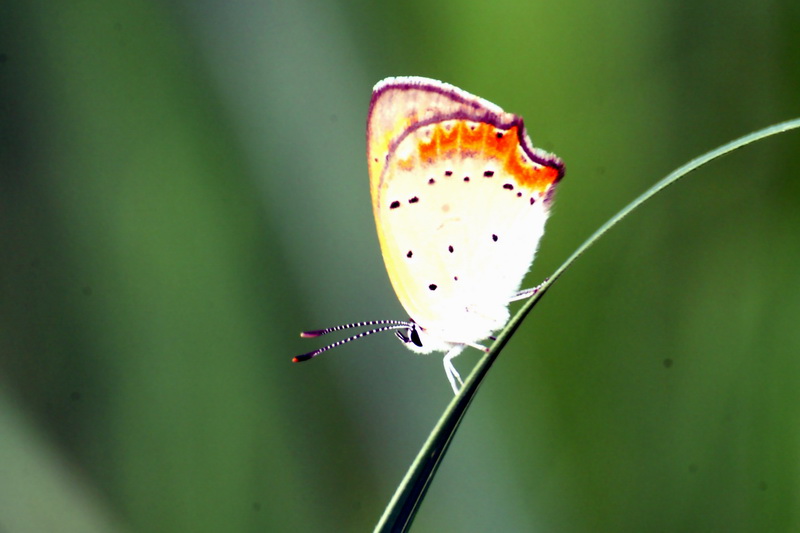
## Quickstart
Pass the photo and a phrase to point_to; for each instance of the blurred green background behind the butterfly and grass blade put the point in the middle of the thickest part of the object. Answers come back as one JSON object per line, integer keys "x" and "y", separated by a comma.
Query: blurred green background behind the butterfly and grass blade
{"x": 184, "y": 189}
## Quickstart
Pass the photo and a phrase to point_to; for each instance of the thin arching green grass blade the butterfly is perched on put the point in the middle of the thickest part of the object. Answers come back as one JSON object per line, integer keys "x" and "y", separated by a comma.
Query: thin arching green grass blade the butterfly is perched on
{"x": 405, "y": 503}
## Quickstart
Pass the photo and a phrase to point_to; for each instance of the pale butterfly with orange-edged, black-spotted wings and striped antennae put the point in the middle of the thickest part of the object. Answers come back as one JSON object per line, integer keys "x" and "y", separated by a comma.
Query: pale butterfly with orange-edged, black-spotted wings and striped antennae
{"x": 460, "y": 197}
